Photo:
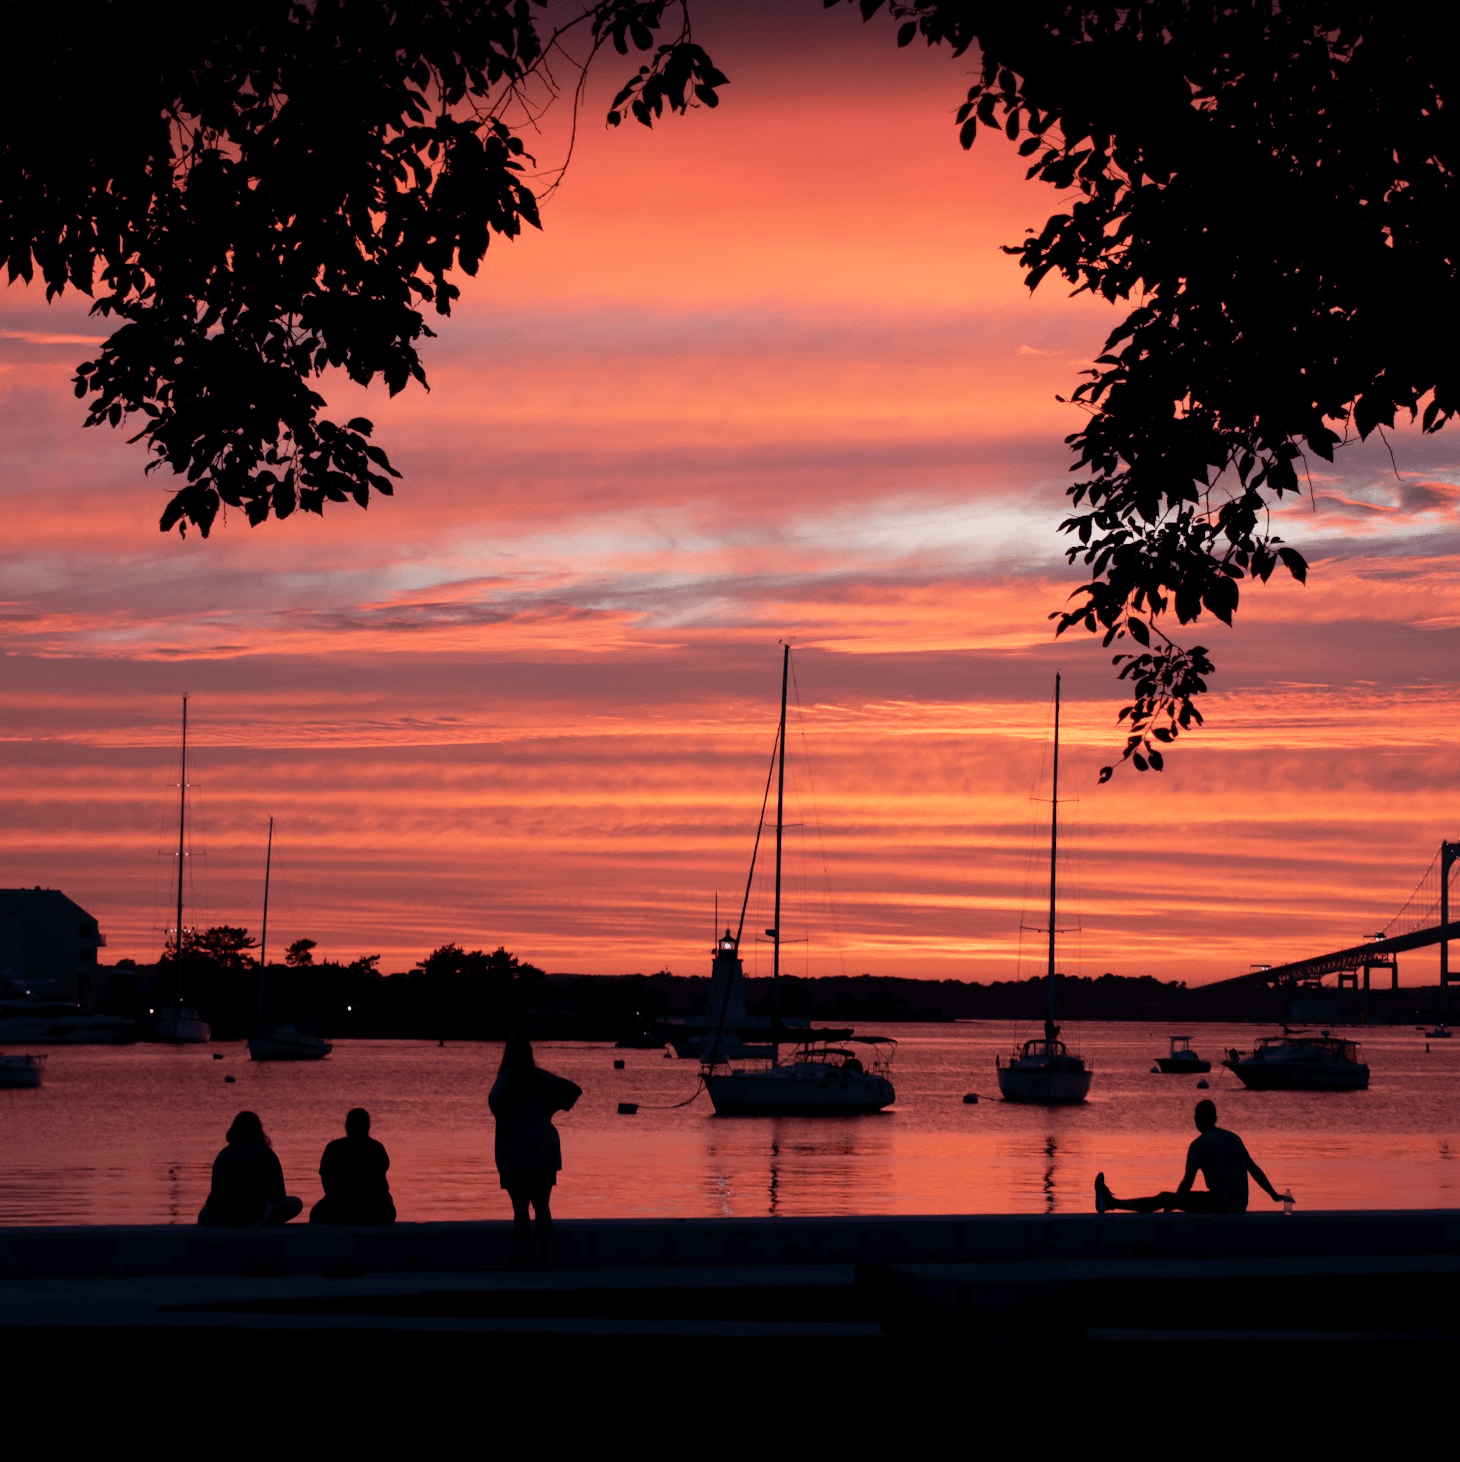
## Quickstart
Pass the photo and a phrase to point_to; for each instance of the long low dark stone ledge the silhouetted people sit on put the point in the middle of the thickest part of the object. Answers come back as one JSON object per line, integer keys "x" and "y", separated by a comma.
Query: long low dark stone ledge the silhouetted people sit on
{"x": 99, "y": 1252}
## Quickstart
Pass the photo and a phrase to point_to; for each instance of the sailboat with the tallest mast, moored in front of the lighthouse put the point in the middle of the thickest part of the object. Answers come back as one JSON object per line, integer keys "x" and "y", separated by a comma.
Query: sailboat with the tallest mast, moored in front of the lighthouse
{"x": 831, "y": 1072}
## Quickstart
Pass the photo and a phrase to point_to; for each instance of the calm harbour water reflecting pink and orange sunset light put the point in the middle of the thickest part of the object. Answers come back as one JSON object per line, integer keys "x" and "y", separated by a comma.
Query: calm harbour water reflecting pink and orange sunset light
{"x": 128, "y": 1134}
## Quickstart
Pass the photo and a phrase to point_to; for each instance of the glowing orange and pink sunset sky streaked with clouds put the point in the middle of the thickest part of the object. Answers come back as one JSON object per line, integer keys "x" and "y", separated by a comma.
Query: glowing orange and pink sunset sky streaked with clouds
{"x": 765, "y": 374}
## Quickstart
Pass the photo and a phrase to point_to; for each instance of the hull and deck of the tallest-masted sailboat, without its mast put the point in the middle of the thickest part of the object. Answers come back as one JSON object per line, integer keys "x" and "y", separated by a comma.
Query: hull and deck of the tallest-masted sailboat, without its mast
{"x": 822, "y": 1078}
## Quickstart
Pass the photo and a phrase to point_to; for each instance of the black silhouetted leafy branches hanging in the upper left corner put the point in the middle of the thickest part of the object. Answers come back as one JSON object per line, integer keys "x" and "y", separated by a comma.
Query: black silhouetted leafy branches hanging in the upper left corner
{"x": 258, "y": 192}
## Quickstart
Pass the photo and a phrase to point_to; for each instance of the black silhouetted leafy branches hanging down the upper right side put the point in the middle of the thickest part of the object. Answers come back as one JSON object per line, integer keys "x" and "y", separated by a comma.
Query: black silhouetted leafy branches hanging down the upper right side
{"x": 1272, "y": 186}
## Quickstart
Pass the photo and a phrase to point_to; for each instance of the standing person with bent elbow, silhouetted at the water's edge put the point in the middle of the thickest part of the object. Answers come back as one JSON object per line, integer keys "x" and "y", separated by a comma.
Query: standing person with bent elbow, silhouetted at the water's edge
{"x": 530, "y": 1153}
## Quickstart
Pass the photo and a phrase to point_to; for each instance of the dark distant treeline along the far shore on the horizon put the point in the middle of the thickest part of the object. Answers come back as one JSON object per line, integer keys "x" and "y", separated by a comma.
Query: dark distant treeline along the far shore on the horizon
{"x": 474, "y": 995}
